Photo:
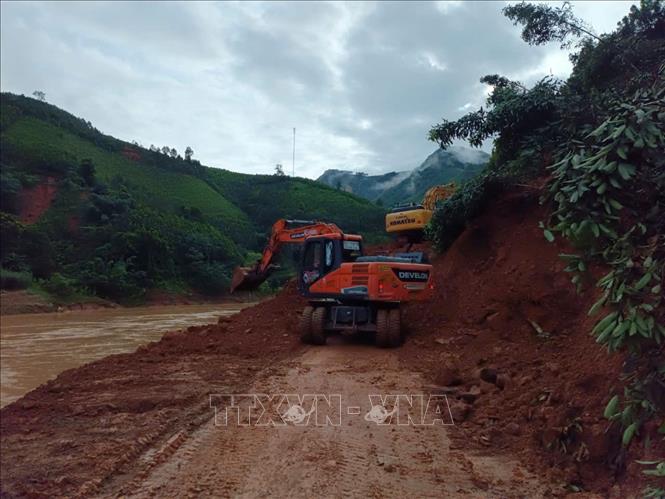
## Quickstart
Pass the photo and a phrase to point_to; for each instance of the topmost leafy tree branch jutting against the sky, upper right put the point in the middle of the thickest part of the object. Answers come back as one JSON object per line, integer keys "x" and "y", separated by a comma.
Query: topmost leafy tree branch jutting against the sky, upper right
{"x": 542, "y": 23}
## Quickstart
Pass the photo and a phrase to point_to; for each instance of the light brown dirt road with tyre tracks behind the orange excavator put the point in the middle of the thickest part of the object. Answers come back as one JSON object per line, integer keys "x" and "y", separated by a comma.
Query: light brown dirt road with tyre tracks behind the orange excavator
{"x": 353, "y": 456}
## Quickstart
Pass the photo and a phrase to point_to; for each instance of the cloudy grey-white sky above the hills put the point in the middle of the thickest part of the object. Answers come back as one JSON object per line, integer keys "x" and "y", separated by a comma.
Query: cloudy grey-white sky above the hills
{"x": 361, "y": 82}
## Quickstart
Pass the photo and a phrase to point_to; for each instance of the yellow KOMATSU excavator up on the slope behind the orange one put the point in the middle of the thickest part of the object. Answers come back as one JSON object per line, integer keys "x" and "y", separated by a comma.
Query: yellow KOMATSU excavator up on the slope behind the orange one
{"x": 407, "y": 221}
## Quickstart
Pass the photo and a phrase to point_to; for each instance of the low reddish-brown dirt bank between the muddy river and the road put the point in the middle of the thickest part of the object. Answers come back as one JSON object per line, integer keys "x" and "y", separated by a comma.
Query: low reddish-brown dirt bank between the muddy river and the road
{"x": 70, "y": 434}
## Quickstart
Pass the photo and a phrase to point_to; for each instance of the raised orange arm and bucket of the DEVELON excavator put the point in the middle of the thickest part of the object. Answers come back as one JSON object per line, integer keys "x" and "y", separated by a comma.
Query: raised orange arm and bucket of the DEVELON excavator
{"x": 283, "y": 232}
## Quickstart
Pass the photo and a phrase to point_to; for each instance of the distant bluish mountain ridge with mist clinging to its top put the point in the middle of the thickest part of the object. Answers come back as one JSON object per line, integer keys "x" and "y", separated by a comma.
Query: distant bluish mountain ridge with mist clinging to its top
{"x": 440, "y": 167}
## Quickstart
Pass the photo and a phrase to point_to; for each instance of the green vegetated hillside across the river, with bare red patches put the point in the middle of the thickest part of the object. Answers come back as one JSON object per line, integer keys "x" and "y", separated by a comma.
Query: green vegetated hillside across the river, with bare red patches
{"x": 125, "y": 219}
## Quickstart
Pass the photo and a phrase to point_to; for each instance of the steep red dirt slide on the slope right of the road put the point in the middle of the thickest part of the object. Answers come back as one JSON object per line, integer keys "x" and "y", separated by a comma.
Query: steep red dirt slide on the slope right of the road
{"x": 507, "y": 339}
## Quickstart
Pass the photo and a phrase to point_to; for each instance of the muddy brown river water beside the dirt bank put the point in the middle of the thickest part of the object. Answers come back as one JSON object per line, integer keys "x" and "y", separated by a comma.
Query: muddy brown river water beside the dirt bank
{"x": 37, "y": 347}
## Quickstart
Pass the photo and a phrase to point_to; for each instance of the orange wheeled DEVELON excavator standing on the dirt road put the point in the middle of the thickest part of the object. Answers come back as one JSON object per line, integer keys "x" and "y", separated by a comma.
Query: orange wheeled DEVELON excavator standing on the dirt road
{"x": 348, "y": 292}
